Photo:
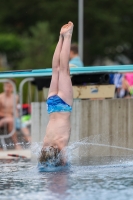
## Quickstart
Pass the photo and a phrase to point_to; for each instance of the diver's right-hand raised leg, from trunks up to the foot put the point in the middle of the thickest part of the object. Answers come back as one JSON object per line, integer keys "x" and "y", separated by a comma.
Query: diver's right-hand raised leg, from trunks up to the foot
{"x": 65, "y": 85}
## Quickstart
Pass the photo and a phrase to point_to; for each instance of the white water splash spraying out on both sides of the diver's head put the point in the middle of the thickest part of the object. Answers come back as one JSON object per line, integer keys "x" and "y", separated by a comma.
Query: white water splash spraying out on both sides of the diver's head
{"x": 90, "y": 142}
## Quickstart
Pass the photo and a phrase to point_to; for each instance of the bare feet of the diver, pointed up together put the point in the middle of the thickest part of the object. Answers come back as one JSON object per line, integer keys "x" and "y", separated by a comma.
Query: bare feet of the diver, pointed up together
{"x": 67, "y": 29}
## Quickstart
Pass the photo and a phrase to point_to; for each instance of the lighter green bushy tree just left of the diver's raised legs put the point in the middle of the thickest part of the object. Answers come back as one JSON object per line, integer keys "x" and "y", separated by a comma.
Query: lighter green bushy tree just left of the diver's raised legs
{"x": 38, "y": 47}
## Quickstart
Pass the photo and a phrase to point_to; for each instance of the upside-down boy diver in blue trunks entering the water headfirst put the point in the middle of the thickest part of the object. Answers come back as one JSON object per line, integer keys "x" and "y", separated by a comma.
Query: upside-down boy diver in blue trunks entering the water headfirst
{"x": 59, "y": 102}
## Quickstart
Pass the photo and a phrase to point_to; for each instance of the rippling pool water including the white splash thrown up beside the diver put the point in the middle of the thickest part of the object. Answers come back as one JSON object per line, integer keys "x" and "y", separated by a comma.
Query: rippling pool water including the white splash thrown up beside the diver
{"x": 88, "y": 177}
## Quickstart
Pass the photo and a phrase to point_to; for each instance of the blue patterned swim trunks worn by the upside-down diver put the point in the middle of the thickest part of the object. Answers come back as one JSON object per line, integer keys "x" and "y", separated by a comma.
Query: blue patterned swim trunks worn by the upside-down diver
{"x": 56, "y": 104}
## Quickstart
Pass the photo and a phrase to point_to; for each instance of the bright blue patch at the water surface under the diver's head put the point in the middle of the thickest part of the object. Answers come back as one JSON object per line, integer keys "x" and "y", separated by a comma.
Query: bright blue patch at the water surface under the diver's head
{"x": 51, "y": 168}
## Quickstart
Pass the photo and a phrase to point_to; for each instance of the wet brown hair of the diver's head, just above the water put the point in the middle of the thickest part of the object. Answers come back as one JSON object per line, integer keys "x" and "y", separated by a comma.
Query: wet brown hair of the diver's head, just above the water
{"x": 50, "y": 155}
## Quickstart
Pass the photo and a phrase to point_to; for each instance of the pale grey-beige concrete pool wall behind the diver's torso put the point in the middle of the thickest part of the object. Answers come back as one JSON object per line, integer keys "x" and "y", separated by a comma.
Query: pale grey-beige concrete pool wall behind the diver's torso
{"x": 103, "y": 122}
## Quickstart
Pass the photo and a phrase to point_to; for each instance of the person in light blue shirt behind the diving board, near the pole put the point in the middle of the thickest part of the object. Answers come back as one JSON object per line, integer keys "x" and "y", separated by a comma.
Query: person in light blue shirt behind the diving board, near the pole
{"x": 75, "y": 60}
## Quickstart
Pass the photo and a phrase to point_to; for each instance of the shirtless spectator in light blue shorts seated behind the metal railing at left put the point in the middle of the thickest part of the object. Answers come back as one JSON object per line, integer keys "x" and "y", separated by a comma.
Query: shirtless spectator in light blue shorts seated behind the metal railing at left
{"x": 7, "y": 115}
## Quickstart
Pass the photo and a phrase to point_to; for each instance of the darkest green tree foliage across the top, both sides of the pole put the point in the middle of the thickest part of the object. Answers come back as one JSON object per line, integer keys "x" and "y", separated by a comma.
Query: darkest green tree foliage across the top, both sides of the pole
{"x": 107, "y": 24}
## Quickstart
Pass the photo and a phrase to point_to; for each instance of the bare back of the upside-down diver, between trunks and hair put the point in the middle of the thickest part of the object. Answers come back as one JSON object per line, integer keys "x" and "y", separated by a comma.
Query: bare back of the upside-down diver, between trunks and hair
{"x": 58, "y": 130}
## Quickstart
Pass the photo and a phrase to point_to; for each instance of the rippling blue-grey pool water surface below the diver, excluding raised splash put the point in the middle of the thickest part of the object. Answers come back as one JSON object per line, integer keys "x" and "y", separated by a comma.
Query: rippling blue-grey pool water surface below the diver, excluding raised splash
{"x": 21, "y": 180}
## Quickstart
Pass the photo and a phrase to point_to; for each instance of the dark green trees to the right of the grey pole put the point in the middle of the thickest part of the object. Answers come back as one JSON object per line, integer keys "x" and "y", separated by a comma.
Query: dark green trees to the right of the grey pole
{"x": 109, "y": 29}
